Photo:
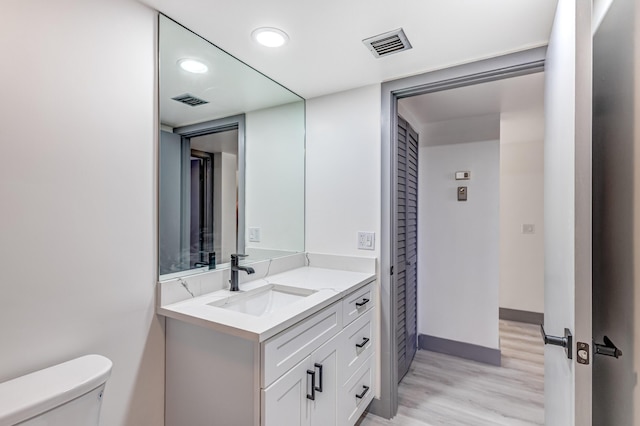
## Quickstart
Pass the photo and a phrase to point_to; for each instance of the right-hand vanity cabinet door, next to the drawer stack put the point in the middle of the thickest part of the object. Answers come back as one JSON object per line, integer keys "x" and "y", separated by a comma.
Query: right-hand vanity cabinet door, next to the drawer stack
{"x": 325, "y": 363}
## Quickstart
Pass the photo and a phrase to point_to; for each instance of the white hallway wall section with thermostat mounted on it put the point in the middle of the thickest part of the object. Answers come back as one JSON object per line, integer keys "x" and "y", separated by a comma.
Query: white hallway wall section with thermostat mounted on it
{"x": 458, "y": 267}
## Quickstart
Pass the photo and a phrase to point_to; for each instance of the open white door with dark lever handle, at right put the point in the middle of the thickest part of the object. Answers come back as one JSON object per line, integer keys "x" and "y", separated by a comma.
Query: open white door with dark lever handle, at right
{"x": 568, "y": 265}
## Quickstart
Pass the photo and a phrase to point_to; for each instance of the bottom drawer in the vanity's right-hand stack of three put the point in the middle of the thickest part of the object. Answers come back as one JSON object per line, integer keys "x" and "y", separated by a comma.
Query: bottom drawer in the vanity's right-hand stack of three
{"x": 356, "y": 394}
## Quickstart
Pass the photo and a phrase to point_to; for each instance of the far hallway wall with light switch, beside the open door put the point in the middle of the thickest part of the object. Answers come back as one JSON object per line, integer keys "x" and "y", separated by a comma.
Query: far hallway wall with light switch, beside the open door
{"x": 522, "y": 202}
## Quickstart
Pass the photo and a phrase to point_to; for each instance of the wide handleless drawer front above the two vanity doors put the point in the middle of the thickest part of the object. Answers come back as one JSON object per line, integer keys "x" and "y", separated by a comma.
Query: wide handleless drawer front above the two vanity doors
{"x": 285, "y": 350}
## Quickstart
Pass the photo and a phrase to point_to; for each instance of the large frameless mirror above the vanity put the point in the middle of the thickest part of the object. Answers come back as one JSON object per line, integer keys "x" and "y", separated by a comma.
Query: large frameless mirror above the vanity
{"x": 231, "y": 158}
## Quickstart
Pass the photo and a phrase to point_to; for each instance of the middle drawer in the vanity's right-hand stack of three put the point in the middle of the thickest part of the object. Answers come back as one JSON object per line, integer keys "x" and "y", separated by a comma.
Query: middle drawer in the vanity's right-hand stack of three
{"x": 357, "y": 344}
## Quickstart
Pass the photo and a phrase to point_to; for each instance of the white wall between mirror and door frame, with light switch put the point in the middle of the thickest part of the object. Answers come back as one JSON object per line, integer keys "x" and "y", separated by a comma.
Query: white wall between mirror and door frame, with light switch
{"x": 343, "y": 171}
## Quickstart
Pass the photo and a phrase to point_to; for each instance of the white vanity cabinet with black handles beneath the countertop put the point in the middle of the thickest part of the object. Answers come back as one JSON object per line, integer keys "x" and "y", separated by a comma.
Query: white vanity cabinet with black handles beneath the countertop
{"x": 317, "y": 372}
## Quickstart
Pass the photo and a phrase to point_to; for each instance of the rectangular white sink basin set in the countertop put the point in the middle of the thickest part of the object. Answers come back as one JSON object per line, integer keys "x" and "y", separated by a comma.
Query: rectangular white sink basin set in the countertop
{"x": 263, "y": 300}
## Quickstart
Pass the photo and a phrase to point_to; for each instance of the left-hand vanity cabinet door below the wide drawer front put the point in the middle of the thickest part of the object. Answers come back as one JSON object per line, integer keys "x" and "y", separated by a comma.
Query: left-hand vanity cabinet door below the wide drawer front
{"x": 284, "y": 403}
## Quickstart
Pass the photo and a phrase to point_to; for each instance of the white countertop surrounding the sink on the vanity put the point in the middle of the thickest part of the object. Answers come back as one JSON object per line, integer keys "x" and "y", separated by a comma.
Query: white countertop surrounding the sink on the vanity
{"x": 330, "y": 285}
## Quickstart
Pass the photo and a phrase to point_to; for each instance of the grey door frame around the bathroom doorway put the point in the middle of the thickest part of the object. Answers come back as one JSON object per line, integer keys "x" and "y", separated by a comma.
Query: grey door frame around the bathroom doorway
{"x": 492, "y": 69}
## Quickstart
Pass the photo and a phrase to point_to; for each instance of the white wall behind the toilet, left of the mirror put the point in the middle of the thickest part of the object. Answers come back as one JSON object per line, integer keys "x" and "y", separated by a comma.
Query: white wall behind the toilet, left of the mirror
{"x": 77, "y": 187}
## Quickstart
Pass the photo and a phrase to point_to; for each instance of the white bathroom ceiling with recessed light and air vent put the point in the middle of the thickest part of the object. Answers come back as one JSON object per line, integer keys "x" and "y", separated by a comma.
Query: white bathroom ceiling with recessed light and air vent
{"x": 326, "y": 54}
